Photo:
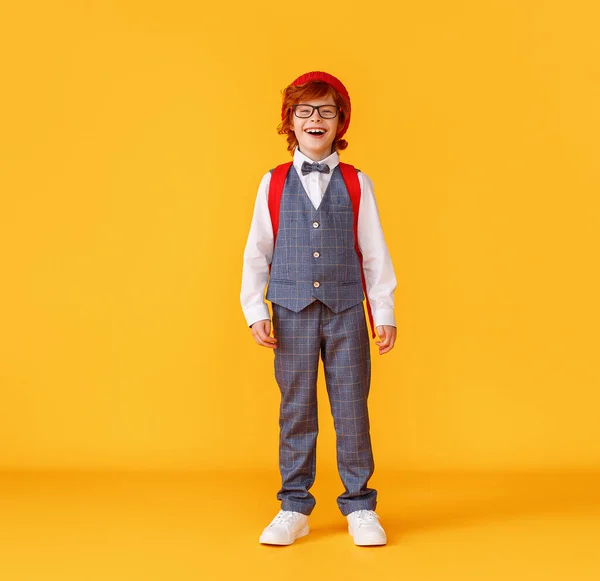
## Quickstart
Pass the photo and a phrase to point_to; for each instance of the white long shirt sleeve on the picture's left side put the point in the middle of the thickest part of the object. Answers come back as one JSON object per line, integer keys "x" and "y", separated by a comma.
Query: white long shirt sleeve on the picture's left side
{"x": 257, "y": 257}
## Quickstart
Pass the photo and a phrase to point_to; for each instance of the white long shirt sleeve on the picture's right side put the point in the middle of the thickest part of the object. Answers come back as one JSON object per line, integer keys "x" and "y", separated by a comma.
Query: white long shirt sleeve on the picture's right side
{"x": 377, "y": 263}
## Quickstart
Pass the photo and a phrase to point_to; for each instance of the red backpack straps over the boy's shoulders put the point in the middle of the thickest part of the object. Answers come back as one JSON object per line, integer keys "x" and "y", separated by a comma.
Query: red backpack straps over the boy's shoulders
{"x": 350, "y": 178}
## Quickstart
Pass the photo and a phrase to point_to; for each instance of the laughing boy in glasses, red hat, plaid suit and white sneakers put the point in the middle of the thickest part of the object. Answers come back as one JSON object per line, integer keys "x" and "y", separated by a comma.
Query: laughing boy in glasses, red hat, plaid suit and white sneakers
{"x": 316, "y": 289}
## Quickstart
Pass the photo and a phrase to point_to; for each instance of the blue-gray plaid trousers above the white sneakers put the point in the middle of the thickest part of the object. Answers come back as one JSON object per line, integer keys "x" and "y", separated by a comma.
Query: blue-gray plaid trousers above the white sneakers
{"x": 342, "y": 341}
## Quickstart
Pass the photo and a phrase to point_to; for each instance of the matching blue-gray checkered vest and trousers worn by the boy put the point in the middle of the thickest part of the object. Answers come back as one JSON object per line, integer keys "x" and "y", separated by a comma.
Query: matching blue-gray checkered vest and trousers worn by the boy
{"x": 320, "y": 321}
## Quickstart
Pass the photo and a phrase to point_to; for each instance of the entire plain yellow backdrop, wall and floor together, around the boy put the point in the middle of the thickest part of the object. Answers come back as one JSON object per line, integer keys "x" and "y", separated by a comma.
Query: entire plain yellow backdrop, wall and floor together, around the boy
{"x": 133, "y": 136}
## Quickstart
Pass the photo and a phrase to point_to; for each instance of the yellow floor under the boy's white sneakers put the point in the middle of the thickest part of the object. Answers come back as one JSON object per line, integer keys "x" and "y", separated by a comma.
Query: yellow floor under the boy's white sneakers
{"x": 129, "y": 526}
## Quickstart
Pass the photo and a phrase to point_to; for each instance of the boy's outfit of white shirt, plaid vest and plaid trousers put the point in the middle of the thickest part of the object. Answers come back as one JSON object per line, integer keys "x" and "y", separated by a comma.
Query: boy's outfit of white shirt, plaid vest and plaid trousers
{"x": 316, "y": 292}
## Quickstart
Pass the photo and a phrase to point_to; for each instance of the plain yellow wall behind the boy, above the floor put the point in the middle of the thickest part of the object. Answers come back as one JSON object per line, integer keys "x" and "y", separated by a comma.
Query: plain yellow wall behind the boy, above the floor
{"x": 134, "y": 136}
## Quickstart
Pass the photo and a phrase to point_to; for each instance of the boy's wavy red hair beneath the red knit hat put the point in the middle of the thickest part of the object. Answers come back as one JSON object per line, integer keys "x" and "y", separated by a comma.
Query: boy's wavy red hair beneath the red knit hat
{"x": 295, "y": 94}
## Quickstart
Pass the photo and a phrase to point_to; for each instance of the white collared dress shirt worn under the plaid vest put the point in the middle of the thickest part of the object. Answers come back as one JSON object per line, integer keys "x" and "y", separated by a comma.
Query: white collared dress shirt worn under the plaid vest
{"x": 377, "y": 264}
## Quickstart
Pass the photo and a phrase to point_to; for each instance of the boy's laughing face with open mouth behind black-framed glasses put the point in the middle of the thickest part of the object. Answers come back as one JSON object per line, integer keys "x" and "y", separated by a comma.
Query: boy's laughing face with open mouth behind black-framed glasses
{"x": 316, "y": 145}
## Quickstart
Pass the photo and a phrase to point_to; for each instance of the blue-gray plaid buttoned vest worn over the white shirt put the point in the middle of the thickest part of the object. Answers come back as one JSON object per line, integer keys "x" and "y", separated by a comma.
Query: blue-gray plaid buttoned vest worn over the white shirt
{"x": 314, "y": 256}
